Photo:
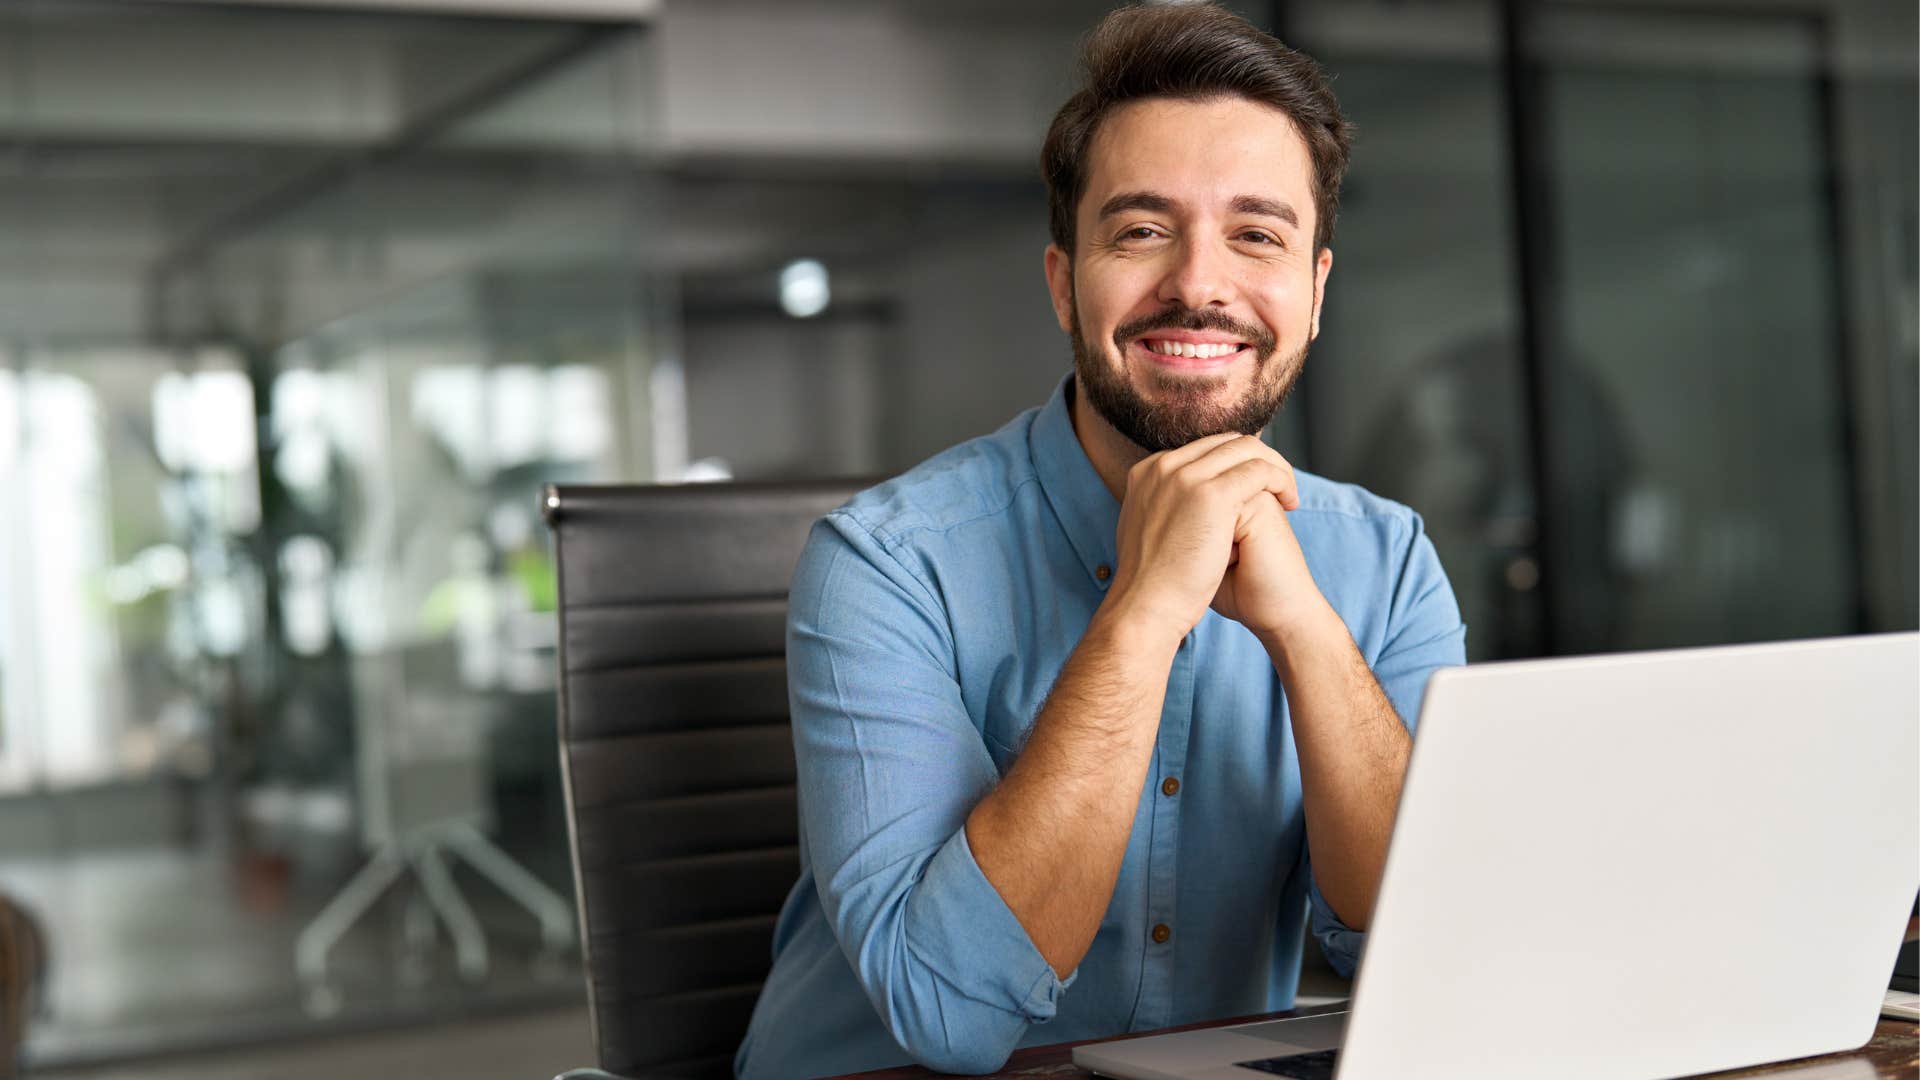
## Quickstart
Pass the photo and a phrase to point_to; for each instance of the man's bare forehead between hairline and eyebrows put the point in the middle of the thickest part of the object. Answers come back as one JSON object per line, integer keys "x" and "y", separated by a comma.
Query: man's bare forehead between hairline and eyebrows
{"x": 1209, "y": 151}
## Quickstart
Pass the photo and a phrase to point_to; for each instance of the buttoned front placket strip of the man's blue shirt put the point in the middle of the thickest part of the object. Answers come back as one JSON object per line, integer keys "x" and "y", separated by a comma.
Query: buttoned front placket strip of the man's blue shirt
{"x": 1163, "y": 935}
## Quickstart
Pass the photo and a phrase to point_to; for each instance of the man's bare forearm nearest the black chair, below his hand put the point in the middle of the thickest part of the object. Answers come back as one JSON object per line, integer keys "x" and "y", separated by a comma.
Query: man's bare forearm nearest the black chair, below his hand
{"x": 1053, "y": 835}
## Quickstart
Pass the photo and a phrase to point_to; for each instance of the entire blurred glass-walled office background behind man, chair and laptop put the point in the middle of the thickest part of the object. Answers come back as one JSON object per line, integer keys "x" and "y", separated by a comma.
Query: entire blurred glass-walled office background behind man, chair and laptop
{"x": 300, "y": 305}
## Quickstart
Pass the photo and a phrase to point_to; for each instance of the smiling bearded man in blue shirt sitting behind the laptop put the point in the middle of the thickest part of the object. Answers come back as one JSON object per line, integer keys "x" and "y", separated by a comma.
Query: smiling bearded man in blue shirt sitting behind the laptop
{"x": 1074, "y": 702}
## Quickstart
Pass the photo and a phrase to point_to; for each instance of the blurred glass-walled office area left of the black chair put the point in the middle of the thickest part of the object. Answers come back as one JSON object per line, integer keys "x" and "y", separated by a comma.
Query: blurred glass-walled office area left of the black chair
{"x": 297, "y": 314}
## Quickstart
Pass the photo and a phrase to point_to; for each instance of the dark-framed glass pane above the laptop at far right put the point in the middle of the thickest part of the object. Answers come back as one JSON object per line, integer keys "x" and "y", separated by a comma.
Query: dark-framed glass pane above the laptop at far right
{"x": 1700, "y": 339}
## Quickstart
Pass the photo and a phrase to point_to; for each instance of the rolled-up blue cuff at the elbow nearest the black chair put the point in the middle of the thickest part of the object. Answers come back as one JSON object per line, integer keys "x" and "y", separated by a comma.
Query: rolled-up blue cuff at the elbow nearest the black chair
{"x": 969, "y": 929}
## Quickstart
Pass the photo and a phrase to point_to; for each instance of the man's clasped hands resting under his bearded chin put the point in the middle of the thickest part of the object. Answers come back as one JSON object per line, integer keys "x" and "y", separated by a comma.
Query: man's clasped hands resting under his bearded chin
{"x": 1184, "y": 514}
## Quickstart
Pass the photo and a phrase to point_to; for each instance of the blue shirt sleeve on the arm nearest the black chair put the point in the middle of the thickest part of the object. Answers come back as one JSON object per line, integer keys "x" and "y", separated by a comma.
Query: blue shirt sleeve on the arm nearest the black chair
{"x": 890, "y": 766}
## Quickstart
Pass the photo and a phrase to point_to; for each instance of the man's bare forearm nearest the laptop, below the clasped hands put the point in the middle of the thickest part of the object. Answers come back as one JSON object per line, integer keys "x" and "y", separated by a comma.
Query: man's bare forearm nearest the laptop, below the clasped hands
{"x": 1353, "y": 762}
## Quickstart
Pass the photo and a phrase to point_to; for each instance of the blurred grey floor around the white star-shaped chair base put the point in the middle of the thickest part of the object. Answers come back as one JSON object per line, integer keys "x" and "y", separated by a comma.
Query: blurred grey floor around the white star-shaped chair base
{"x": 180, "y": 952}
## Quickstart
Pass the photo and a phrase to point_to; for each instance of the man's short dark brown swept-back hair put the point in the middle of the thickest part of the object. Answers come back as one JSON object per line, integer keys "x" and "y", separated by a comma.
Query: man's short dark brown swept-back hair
{"x": 1191, "y": 53}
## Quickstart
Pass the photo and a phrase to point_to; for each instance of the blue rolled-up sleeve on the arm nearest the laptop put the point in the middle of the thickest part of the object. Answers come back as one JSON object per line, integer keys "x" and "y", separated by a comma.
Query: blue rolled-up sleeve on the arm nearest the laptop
{"x": 1424, "y": 635}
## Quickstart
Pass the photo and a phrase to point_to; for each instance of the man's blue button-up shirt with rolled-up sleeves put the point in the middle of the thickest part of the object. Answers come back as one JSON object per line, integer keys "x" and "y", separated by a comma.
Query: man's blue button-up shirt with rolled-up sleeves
{"x": 928, "y": 620}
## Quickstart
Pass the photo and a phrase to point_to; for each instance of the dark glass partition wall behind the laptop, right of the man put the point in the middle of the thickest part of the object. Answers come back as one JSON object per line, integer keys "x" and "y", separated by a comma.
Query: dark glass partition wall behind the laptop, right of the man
{"x": 1623, "y": 305}
